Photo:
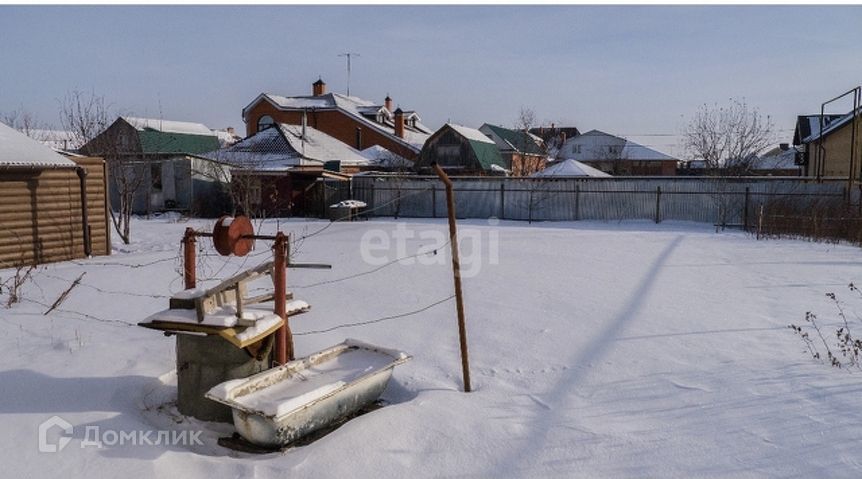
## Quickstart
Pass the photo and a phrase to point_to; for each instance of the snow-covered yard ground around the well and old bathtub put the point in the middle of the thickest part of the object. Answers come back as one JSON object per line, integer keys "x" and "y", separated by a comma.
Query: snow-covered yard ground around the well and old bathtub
{"x": 597, "y": 350}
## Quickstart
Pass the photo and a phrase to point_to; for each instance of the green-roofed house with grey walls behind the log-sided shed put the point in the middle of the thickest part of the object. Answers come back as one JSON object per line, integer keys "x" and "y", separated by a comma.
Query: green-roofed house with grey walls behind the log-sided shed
{"x": 158, "y": 162}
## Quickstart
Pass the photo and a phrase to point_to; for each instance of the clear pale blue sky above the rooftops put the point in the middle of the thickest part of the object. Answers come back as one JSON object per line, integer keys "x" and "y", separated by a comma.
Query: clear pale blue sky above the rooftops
{"x": 629, "y": 70}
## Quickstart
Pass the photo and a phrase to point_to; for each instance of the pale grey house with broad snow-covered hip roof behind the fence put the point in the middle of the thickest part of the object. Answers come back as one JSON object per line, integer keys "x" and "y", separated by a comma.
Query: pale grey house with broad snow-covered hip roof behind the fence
{"x": 617, "y": 156}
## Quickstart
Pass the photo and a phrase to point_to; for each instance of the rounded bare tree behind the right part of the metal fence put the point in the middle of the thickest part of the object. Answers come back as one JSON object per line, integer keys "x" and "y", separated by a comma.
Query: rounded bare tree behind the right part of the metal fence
{"x": 728, "y": 138}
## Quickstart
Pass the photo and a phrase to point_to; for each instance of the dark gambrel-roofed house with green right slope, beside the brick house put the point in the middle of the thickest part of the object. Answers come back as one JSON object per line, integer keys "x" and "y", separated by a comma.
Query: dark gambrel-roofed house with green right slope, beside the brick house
{"x": 461, "y": 150}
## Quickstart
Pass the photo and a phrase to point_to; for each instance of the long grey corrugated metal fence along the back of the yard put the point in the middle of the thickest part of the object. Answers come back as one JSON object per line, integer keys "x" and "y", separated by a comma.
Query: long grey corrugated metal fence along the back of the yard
{"x": 730, "y": 201}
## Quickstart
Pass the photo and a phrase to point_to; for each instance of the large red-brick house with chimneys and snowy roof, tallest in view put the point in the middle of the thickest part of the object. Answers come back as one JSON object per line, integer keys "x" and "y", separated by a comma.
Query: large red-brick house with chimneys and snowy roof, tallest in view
{"x": 354, "y": 121}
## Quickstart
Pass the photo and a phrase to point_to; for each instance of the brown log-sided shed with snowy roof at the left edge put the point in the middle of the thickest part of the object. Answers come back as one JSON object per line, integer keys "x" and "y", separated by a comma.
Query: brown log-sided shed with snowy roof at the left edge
{"x": 41, "y": 198}
